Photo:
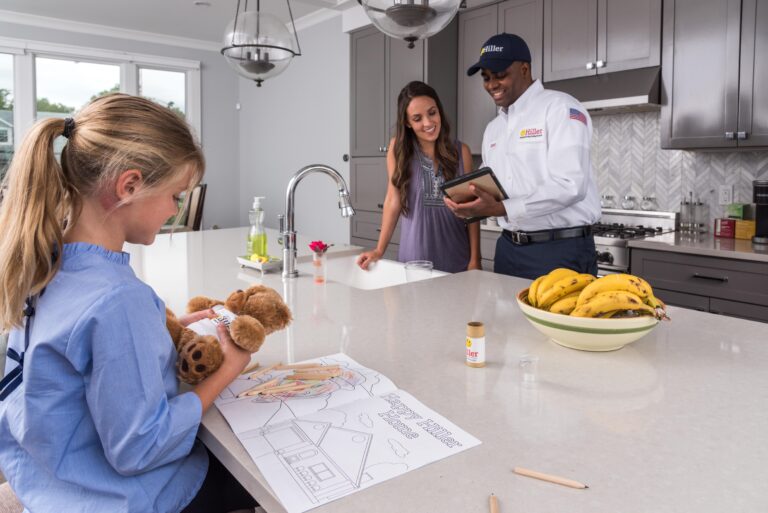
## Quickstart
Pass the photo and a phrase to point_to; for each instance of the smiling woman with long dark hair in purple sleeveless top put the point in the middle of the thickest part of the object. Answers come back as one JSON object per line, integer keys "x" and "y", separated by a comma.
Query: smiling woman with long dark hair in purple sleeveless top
{"x": 420, "y": 159}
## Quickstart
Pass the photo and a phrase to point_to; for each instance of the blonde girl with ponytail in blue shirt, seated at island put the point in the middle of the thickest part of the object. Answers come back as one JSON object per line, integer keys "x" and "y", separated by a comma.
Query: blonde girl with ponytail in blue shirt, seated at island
{"x": 91, "y": 419}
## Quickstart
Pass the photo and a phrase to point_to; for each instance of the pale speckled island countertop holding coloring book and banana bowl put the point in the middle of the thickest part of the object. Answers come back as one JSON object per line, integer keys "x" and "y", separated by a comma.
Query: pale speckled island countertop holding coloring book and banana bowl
{"x": 676, "y": 422}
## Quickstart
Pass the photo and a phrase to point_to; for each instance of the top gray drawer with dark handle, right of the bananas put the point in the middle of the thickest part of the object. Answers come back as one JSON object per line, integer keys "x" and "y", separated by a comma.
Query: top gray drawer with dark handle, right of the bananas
{"x": 730, "y": 279}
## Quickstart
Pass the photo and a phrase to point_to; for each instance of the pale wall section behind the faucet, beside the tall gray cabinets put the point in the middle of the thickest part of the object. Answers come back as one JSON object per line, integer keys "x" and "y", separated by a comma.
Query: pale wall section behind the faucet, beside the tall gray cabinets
{"x": 298, "y": 118}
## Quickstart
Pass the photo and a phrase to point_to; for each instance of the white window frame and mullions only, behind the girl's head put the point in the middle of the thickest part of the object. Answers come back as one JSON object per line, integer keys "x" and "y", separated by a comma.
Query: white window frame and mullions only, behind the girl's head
{"x": 24, "y": 81}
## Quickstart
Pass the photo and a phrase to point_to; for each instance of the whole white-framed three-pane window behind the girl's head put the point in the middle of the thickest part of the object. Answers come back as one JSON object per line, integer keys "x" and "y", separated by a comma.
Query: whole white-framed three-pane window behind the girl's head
{"x": 39, "y": 80}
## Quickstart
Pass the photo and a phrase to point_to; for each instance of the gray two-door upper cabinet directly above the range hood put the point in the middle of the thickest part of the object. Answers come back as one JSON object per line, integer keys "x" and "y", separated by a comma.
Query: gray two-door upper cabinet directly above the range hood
{"x": 589, "y": 37}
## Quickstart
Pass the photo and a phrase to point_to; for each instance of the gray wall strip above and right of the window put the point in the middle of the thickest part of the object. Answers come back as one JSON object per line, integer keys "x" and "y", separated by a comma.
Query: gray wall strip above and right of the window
{"x": 219, "y": 117}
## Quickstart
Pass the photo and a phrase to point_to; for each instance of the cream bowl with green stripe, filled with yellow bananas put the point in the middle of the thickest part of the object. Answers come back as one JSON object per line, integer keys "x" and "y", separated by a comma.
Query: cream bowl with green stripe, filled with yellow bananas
{"x": 583, "y": 312}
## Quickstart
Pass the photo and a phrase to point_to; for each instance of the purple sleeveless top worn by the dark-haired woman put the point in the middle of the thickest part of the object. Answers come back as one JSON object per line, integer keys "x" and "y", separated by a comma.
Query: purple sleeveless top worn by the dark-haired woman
{"x": 431, "y": 231}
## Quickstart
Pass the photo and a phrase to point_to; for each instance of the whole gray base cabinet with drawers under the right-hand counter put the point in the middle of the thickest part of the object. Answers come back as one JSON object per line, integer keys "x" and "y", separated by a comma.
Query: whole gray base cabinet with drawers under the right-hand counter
{"x": 719, "y": 285}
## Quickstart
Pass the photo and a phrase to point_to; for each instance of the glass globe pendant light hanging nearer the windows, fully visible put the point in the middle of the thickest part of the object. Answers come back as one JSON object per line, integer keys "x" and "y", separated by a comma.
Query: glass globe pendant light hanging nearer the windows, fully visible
{"x": 257, "y": 45}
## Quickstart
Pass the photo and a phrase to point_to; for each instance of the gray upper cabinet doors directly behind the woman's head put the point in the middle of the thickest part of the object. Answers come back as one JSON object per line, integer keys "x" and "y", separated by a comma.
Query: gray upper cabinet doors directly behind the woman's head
{"x": 381, "y": 66}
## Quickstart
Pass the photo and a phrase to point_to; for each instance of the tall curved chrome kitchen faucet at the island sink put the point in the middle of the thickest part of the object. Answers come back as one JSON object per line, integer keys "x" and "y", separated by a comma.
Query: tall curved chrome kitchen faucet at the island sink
{"x": 287, "y": 232}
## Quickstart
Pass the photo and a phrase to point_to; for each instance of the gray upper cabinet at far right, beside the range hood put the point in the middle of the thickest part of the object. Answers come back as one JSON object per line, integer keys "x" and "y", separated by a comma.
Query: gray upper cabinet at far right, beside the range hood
{"x": 715, "y": 74}
